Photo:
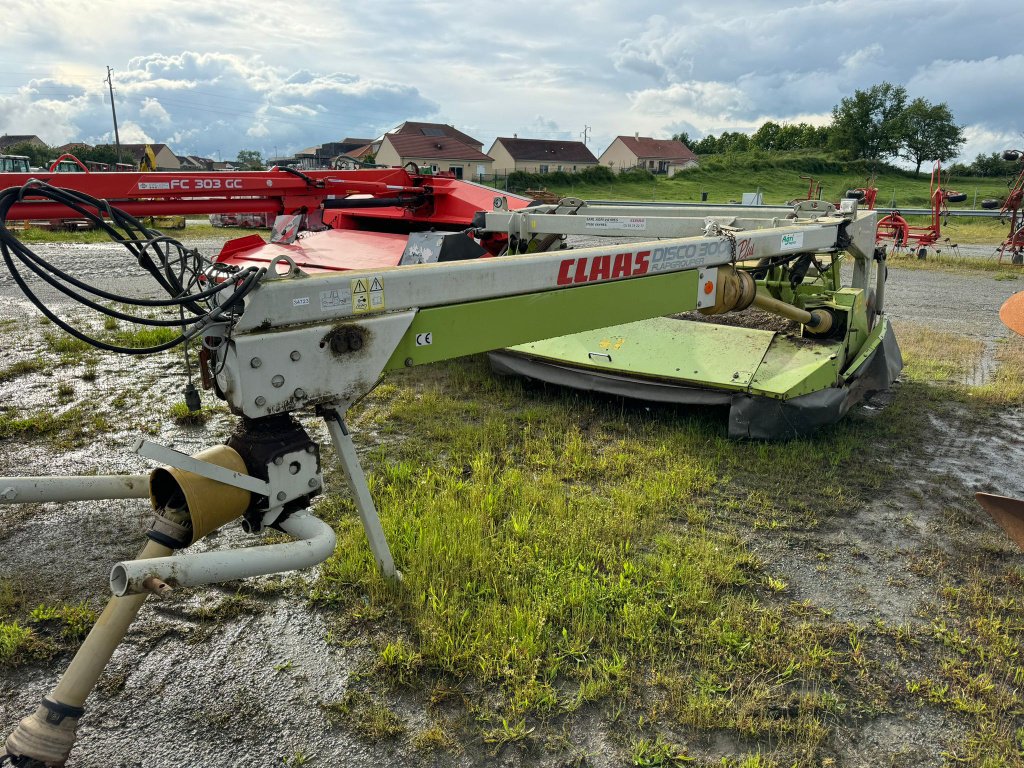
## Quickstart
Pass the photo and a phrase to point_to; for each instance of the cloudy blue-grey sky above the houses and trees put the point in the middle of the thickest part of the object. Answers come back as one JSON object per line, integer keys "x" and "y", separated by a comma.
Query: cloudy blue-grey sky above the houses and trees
{"x": 214, "y": 78}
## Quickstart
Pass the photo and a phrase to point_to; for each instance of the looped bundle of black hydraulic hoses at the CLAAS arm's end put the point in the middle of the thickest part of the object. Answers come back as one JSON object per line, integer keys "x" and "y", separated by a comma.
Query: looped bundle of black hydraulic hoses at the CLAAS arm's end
{"x": 180, "y": 272}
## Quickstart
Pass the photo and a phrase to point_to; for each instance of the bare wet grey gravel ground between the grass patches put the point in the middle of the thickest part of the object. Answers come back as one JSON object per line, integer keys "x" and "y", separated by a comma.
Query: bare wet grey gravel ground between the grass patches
{"x": 248, "y": 691}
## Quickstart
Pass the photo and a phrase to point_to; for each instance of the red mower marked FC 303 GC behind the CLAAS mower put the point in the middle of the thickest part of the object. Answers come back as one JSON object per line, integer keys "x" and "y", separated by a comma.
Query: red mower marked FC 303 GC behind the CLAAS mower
{"x": 372, "y": 211}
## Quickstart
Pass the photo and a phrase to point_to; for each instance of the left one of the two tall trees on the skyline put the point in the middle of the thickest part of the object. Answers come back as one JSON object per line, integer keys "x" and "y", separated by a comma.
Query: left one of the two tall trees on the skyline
{"x": 871, "y": 124}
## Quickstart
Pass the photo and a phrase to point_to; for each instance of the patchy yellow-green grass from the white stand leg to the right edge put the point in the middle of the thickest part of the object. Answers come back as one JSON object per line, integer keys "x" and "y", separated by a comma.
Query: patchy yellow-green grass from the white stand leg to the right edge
{"x": 564, "y": 553}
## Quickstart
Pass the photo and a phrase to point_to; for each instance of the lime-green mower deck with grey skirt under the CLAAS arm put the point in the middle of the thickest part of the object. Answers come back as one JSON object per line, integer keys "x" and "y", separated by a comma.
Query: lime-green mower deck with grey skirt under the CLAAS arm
{"x": 777, "y": 385}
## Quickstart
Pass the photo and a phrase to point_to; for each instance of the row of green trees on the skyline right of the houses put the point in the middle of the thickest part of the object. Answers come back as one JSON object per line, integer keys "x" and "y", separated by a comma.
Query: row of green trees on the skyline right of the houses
{"x": 878, "y": 124}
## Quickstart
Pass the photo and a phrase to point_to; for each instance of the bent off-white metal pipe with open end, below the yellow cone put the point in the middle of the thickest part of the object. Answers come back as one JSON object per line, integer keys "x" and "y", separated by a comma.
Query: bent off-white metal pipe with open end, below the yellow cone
{"x": 317, "y": 542}
